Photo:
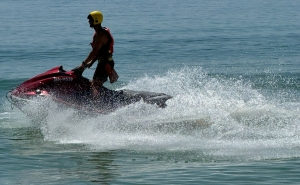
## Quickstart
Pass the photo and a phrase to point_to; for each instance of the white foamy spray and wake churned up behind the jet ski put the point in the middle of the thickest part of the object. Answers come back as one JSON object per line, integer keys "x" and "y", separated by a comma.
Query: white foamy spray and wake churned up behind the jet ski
{"x": 218, "y": 117}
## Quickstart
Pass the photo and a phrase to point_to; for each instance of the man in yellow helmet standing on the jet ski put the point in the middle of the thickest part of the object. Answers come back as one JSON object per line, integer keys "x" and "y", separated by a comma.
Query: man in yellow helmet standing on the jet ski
{"x": 102, "y": 50}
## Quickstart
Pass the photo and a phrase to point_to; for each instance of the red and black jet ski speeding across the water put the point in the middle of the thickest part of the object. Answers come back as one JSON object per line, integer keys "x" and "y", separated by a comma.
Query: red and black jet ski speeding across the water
{"x": 71, "y": 89}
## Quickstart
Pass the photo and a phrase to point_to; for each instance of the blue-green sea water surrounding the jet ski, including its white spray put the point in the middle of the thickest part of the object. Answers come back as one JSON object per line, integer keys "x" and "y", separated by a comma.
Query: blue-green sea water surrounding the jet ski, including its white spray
{"x": 232, "y": 68}
